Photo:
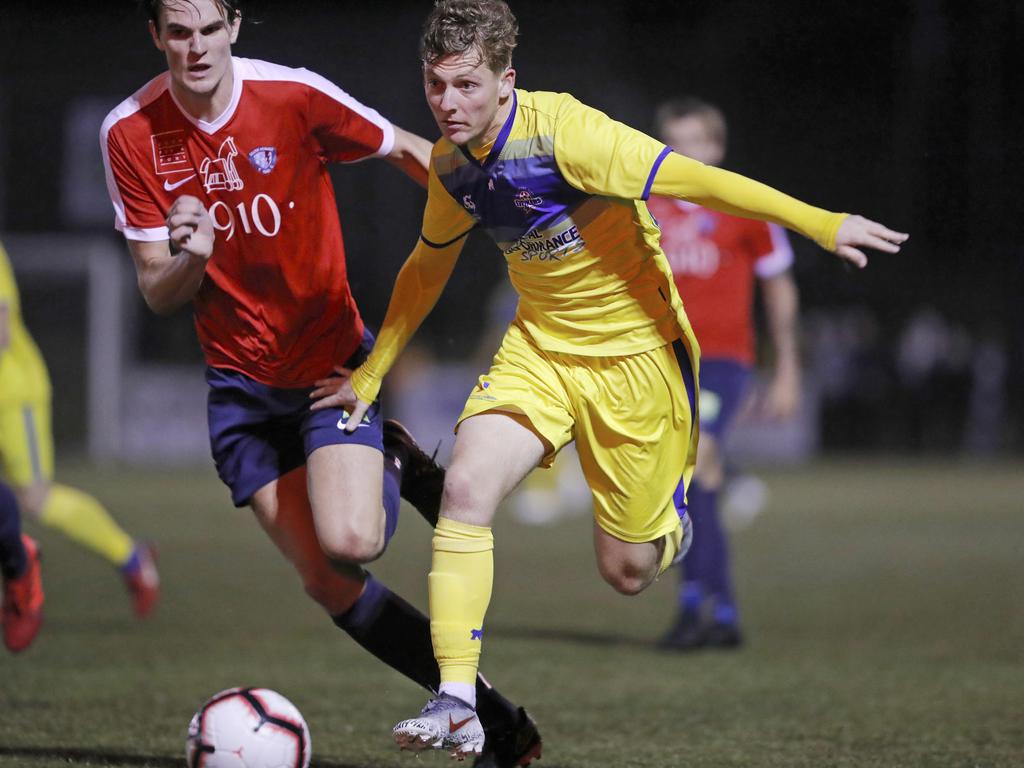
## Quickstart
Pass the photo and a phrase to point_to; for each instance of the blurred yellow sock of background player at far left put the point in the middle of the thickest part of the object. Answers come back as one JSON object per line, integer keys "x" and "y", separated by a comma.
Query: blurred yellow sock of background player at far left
{"x": 84, "y": 521}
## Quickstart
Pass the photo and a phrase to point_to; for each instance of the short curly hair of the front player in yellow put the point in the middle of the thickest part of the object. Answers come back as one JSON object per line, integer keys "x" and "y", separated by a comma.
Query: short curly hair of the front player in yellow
{"x": 460, "y": 26}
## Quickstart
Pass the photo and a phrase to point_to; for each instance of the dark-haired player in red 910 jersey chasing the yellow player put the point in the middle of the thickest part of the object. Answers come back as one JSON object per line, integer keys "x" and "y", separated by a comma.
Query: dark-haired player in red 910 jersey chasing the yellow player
{"x": 236, "y": 215}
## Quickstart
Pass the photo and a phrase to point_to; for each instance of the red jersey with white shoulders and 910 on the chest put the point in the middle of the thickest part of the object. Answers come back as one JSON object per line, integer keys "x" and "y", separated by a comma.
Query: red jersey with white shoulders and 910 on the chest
{"x": 275, "y": 304}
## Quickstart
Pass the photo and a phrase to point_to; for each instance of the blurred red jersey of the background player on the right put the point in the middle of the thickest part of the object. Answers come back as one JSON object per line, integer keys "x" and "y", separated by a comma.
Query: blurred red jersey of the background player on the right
{"x": 715, "y": 258}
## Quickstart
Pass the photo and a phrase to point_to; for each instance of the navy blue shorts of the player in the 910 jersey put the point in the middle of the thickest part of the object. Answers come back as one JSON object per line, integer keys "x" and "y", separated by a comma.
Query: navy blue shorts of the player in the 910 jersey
{"x": 260, "y": 434}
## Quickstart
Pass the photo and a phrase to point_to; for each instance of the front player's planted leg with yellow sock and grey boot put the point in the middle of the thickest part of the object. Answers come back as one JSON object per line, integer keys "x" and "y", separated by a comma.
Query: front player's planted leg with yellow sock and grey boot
{"x": 493, "y": 454}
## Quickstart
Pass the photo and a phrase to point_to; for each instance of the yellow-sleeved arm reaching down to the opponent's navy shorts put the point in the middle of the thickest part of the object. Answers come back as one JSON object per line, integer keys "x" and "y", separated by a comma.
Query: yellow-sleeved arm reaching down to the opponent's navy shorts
{"x": 417, "y": 289}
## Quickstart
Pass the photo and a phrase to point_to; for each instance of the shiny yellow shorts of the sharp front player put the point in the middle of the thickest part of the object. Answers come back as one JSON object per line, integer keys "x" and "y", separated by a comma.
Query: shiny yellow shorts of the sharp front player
{"x": 633, "y": 419}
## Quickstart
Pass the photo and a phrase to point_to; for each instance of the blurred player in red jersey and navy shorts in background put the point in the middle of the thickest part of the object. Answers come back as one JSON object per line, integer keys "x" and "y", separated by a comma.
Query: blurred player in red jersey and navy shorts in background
{"x": 715, "y": 260}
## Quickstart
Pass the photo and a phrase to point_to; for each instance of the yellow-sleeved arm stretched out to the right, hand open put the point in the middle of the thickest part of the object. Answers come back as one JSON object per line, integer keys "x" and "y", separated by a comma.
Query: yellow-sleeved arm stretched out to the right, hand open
{"x": 731, "y": 193}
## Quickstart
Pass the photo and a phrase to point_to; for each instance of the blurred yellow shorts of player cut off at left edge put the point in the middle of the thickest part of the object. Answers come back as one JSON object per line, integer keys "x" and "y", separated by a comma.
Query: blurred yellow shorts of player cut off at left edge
{"x": 26, "y": 443}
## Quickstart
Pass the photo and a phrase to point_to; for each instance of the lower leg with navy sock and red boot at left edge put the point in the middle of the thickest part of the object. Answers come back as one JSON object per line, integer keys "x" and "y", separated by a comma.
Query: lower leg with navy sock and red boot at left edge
{"x": 22, "y": 612}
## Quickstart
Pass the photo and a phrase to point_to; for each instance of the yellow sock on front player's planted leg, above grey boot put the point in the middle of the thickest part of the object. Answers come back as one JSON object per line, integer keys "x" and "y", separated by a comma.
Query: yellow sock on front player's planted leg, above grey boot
{"x": 459, "y": 586}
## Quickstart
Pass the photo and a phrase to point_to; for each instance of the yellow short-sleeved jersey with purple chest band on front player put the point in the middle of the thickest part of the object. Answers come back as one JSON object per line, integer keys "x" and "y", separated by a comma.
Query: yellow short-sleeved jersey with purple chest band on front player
{"x": 562, "y": 193}
